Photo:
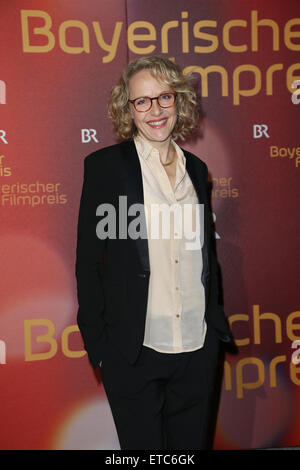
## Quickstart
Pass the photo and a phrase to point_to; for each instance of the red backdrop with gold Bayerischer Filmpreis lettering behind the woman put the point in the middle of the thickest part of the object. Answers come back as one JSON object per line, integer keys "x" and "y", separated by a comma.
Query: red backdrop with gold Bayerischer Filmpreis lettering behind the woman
{"x": 58, "y": 61}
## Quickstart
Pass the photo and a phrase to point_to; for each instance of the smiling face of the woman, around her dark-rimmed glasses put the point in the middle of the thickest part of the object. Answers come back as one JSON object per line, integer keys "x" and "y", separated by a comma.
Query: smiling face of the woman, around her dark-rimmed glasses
{"x": 157, "y": 124}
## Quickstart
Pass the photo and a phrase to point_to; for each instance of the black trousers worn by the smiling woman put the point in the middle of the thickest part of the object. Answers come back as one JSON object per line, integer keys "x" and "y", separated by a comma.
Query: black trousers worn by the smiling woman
{"x": 163, "y": 401}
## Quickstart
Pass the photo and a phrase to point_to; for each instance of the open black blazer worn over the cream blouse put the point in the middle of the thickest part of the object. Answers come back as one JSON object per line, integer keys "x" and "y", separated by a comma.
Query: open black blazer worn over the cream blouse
{"x": 113, "y": 274}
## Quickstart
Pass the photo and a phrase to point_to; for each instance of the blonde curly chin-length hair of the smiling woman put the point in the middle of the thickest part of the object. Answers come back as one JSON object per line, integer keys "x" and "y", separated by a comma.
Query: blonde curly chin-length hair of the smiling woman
{"x": 163, "y": 70}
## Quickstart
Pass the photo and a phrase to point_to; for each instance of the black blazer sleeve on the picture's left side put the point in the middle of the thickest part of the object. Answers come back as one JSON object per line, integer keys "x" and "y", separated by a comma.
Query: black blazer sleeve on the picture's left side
{"x": 90, "y": 253}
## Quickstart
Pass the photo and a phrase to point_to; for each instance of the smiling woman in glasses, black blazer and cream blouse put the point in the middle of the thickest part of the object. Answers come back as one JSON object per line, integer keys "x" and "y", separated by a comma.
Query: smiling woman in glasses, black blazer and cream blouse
{"x": 148, "y": 303}
